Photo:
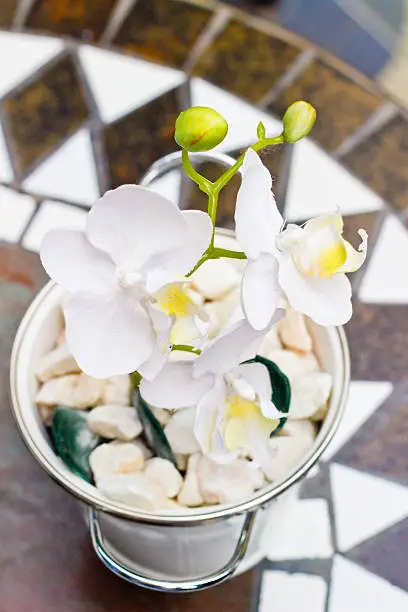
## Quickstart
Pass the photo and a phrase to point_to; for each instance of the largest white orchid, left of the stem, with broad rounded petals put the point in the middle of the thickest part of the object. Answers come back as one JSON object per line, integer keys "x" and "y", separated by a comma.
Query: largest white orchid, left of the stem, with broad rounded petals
{"x": 124, "y": 277}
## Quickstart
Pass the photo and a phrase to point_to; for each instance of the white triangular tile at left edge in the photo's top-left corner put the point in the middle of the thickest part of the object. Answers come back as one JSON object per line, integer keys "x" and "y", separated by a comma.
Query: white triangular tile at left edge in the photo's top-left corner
{"x": 22, "y": 55}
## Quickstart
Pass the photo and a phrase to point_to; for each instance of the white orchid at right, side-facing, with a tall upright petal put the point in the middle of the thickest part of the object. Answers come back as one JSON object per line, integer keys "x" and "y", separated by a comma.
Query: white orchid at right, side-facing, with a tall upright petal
{"x": 306, "y": 264}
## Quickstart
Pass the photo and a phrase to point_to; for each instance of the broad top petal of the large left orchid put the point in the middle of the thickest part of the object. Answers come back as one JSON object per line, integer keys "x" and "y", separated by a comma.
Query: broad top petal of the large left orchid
{"x": 132, "y": 224}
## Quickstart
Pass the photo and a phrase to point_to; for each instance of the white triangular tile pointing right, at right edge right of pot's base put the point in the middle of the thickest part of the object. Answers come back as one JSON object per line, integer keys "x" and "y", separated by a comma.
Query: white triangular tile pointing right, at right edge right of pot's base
{"x": 364, "y": 505}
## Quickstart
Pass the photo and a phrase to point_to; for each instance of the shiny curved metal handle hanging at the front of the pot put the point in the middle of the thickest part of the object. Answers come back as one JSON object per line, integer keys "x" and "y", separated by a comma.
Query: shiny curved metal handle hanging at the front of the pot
{"x": 170, "y": 586}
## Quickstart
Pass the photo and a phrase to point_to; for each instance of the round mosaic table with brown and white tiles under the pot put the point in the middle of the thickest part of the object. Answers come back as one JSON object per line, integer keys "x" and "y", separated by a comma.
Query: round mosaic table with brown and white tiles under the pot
{"x": 88, "y": 96}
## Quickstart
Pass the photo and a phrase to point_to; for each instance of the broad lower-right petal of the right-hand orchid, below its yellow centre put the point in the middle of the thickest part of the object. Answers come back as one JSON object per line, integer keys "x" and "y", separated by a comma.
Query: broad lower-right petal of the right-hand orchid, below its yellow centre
{"x": 325, "y": 300}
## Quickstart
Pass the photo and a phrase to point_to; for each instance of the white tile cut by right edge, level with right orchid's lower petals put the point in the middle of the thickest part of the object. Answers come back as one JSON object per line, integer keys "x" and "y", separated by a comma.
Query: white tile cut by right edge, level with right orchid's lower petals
{"x": 386, "y": 278}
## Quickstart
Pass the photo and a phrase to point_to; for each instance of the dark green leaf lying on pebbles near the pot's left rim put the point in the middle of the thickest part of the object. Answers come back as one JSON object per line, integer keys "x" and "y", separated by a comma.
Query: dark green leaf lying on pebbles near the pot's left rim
{"x": 73, "y": 440}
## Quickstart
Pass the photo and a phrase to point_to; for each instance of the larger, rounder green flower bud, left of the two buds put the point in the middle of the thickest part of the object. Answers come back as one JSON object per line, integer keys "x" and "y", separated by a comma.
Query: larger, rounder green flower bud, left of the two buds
{"x": 200, "y": 129}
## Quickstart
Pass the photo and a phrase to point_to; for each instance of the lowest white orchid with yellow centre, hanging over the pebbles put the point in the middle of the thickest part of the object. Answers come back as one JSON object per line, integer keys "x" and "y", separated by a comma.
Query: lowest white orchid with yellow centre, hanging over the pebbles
{"x": 235, "y": 412}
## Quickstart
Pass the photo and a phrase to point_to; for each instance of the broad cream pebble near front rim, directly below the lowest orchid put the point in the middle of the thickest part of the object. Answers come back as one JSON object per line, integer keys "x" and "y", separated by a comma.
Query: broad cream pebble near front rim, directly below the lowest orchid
{"x": 225, "y": 483}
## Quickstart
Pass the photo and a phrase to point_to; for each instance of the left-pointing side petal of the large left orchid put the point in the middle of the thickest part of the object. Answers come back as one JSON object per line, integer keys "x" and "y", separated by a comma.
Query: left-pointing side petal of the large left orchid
{"x": 70, "y": 260}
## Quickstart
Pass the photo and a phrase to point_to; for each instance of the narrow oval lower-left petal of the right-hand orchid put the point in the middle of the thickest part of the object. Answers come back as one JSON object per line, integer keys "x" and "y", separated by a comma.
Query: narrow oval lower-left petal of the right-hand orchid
{"x": 260, "y": 291}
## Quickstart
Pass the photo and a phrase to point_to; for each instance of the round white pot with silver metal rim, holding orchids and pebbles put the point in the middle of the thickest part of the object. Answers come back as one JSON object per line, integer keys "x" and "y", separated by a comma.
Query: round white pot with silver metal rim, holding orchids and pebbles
{"x": 167, "y": 552}
